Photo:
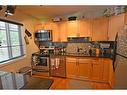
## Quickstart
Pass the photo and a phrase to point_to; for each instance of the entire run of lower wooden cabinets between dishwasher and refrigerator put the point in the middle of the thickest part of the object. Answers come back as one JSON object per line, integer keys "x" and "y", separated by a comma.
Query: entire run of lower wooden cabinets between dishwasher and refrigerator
{"x": 94, "y": 69}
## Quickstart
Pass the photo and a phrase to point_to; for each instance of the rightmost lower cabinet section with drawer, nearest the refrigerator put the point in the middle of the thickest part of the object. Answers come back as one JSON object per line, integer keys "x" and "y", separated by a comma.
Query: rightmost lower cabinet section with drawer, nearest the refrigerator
{"x": 100, "y": 69}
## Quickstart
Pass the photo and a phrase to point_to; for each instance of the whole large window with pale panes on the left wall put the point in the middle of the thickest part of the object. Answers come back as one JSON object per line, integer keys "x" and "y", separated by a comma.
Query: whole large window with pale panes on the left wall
{"x": 11, "y": 46}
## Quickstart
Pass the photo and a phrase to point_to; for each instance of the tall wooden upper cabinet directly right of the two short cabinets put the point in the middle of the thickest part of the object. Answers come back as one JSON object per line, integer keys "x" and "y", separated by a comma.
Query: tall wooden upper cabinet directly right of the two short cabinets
{"x": 100, "y": 29}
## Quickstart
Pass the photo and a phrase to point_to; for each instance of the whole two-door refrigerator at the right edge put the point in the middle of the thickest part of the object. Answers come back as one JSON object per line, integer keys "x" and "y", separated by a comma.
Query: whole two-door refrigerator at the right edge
{"x": 120, "y": 60}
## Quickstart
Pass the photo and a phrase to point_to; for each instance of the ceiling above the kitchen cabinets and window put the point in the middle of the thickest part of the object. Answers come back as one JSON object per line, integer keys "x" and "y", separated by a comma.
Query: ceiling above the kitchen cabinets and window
{"x": 46, "y": 12}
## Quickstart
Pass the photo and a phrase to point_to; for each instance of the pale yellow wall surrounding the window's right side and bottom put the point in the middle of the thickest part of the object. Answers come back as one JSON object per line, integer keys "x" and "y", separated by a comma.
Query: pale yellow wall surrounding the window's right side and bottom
{"x": 30, "y": 48}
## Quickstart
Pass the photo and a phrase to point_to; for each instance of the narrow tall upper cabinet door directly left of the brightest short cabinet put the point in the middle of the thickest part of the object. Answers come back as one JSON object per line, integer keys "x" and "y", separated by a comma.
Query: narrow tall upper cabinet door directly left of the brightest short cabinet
{"x": 63, "y": 31}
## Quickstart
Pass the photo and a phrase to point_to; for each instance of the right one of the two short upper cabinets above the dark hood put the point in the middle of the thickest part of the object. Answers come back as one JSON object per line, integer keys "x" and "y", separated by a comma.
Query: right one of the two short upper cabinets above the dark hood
{"x": 85, "y": 28}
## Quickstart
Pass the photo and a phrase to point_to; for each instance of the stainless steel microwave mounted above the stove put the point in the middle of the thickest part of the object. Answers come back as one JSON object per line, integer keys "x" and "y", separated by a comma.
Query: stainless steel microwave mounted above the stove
{"x": 43, "y": 35}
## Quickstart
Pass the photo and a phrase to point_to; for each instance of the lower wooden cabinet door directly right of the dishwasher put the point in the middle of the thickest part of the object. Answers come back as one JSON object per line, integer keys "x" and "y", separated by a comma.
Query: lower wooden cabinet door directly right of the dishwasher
{"x": 71, "y": 67}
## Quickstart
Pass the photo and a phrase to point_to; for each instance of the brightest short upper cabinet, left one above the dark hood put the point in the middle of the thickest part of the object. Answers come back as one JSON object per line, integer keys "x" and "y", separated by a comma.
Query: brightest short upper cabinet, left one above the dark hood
{"x": 72, "y": 28}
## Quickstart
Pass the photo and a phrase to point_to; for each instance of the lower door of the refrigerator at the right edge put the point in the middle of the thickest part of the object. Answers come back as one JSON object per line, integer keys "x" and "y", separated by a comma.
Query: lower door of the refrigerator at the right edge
{"x": 120, "y": 73}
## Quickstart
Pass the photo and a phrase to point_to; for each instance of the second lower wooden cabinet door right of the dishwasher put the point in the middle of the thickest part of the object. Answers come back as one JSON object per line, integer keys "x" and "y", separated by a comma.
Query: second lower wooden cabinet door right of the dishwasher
{"x": 84, "y": 68}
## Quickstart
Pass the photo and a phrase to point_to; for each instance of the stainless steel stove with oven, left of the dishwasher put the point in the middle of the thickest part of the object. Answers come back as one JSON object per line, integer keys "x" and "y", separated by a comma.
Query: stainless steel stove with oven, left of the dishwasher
{"x": 40, "y": 60}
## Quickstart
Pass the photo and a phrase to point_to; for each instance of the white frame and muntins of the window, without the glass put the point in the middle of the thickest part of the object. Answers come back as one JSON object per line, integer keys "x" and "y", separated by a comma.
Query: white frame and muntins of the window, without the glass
{"x": 9, "y": 45}
